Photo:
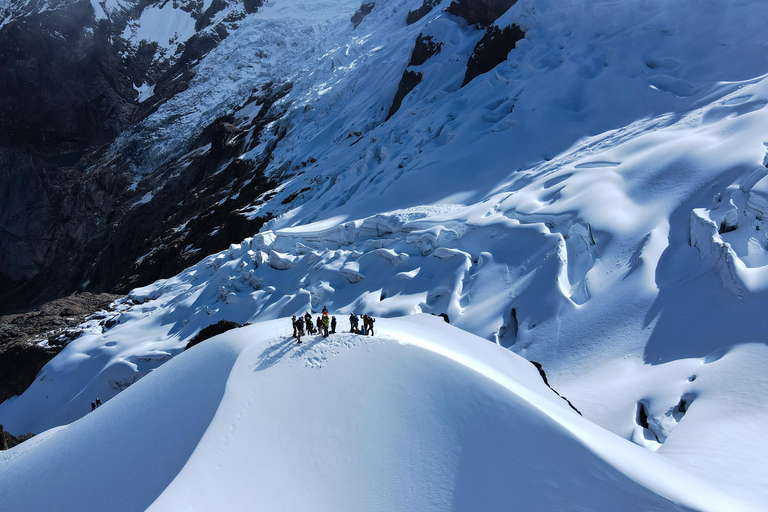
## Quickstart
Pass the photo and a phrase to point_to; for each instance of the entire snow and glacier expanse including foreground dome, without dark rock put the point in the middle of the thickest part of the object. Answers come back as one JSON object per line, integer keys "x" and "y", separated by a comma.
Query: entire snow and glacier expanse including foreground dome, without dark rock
{"x": 596, "y": 203}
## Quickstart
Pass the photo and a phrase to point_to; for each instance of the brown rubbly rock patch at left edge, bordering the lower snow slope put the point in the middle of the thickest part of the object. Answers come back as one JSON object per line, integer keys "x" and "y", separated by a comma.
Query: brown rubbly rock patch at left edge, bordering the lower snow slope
{"x": 28, "y": 341}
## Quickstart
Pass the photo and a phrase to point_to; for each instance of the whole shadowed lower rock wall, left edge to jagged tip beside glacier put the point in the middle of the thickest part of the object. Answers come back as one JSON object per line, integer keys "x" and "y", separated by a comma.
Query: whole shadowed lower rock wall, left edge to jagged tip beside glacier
{"x": 85, "y": 228}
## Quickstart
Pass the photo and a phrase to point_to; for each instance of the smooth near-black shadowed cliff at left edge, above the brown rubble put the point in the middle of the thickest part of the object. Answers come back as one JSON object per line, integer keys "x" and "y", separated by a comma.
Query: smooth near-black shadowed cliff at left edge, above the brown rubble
{"x": 49, "y": 217}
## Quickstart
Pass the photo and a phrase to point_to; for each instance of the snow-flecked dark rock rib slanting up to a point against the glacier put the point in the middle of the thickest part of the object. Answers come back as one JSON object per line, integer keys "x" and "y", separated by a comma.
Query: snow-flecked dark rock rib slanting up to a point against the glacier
{"x": 186, "y": 193}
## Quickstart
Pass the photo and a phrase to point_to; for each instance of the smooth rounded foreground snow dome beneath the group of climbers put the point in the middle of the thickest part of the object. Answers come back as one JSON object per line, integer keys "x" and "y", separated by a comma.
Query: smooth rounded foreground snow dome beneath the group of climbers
{"x": 259, "y": 422}
